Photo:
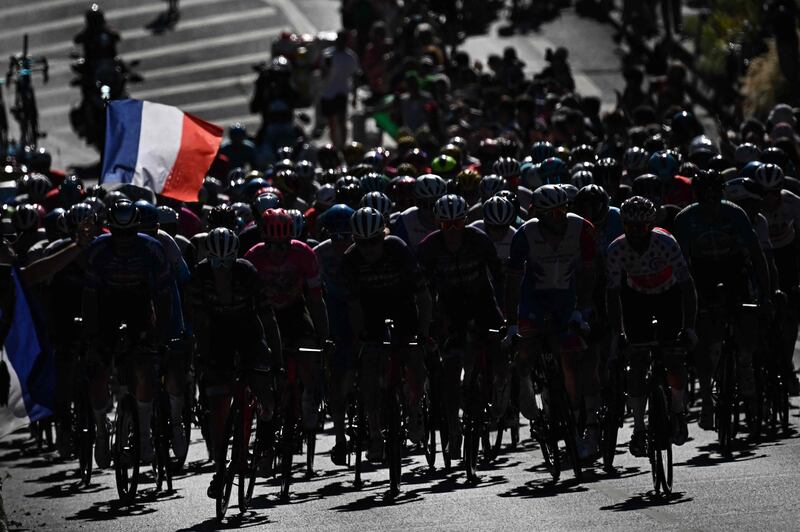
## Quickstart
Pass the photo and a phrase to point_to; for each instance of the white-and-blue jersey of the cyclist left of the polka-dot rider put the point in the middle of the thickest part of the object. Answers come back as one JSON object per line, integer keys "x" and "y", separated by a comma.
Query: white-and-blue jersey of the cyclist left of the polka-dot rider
{"x": 548, "y": 266}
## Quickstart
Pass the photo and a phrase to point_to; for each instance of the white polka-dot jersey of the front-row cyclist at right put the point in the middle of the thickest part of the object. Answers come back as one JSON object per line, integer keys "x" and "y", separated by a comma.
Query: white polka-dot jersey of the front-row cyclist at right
{"x": 654, "y": 271}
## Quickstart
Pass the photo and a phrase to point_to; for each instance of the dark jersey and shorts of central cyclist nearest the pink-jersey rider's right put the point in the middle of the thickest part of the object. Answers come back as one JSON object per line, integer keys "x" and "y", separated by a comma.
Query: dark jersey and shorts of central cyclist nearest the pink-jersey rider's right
{"x": 385, "y": 289}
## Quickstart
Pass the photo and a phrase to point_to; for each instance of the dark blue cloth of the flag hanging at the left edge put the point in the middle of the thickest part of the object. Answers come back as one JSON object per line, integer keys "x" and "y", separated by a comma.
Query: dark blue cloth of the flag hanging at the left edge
{"x": 31, "y": 359}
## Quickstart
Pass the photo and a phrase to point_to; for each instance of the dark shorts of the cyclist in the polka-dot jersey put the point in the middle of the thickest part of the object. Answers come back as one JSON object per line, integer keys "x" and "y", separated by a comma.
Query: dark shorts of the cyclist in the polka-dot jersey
{"x": 639, "y": 310}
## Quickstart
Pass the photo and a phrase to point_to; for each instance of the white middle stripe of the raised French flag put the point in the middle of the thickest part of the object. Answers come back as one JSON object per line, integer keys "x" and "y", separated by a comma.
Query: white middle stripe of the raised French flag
{"x": 159, "y": 144}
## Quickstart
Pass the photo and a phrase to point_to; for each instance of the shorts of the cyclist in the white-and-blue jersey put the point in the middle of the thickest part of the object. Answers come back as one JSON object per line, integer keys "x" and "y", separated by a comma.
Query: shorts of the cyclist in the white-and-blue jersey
{"x": 548, "y": 311}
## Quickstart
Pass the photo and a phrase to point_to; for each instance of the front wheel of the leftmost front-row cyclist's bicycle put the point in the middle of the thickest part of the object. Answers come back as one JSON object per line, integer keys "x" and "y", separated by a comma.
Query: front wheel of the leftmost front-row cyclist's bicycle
{"x": 126, "y": 449}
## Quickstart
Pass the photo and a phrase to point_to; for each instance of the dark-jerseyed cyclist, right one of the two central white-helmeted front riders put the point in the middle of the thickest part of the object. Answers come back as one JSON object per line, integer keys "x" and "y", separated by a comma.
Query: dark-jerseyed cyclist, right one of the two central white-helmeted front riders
{"x": 462, "y": 269}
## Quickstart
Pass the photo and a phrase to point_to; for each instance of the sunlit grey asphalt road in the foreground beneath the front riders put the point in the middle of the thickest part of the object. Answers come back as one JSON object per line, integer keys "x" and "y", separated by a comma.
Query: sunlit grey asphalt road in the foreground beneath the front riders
{"x": 756, "y": 489}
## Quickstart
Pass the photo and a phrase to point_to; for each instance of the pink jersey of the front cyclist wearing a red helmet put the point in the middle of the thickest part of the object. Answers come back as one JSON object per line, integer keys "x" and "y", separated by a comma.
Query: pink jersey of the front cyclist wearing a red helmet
{"x": 284, "y": 282}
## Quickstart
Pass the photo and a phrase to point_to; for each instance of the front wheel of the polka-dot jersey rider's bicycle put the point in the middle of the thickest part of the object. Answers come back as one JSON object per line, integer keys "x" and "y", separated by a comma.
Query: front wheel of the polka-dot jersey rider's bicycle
{"x": 659, "y": 444}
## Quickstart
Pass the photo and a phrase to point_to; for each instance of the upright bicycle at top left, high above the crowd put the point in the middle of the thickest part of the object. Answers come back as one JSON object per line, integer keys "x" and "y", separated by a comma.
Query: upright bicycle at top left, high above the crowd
{"x": 20, "y": 69}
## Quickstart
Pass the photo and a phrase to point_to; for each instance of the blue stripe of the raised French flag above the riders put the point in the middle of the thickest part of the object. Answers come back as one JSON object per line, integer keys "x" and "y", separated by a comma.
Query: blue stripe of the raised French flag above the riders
{"x": 123, "y": 126}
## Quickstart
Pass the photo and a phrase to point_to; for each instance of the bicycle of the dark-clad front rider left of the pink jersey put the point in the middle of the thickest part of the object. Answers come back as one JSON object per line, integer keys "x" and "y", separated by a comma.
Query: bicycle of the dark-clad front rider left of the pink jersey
{"x": 241, "y": 445}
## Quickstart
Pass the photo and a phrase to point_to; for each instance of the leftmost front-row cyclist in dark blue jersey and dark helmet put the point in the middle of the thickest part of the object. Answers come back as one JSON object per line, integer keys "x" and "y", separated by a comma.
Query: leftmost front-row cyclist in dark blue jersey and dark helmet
{"x": 127, "y": 280}
